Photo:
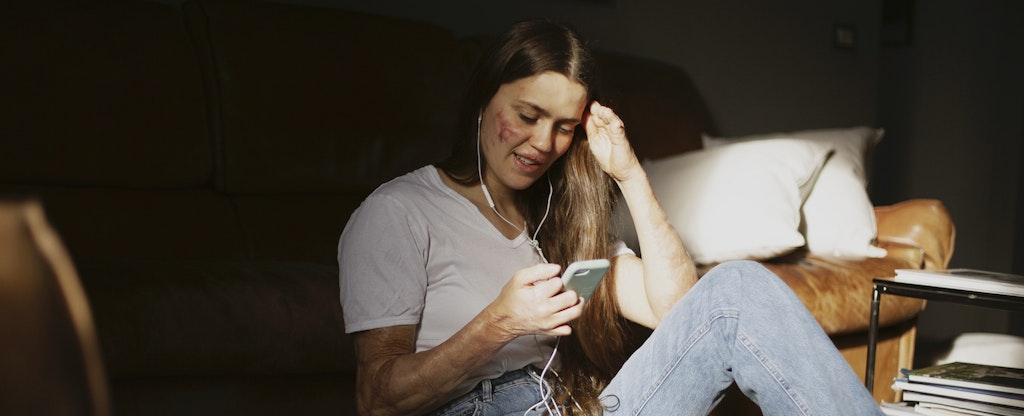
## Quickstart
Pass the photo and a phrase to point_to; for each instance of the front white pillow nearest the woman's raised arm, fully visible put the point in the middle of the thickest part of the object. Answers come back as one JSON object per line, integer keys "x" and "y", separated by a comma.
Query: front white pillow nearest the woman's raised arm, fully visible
{"x": 736, "y": 202}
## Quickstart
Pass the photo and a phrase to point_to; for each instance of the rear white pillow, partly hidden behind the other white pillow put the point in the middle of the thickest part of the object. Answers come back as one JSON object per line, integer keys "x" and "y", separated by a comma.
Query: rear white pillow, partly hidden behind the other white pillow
{"x": 839, "y": 215}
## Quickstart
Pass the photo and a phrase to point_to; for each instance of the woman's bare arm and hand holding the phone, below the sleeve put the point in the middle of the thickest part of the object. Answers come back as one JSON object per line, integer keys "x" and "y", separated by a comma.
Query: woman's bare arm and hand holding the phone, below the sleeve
{"x": 393, "y": 380}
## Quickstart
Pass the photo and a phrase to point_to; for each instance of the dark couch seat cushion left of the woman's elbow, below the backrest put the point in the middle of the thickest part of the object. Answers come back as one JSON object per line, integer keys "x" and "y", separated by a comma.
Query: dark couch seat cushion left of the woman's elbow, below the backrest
{"x": 218, "y": 318}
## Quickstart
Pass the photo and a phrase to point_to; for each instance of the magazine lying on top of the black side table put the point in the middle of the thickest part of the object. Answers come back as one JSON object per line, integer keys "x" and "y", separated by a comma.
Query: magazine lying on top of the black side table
{"x": 965, "y": 279}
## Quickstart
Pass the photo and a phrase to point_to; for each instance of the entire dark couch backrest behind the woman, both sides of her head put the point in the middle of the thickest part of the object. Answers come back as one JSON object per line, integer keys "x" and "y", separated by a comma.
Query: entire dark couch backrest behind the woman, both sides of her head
{"x": 238, "y": 130}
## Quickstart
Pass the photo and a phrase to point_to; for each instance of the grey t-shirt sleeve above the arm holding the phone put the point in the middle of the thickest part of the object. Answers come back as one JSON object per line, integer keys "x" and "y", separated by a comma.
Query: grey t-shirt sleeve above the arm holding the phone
{"x": 381, "y": 263}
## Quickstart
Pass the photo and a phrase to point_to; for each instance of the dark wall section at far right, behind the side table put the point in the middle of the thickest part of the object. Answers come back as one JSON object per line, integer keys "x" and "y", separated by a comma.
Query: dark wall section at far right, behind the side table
{"x": 953, "y": 101}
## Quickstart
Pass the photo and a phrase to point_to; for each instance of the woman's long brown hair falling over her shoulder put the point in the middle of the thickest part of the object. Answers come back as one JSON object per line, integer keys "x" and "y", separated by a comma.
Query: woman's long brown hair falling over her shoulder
{"x": 583, "y": 201}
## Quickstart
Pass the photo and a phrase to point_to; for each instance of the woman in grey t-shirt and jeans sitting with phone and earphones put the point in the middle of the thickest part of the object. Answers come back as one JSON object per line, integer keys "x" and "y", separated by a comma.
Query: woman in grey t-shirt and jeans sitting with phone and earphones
{"x": 450, "y": 274}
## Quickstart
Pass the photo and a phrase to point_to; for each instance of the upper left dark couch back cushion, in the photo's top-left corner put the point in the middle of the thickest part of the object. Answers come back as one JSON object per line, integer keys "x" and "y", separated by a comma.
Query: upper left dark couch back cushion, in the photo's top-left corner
{"x": 102, "y": 94}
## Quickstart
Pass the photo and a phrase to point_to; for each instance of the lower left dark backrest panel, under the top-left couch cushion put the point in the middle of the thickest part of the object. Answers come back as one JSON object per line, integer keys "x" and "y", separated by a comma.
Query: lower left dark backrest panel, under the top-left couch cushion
{"x": 112, "y": 224}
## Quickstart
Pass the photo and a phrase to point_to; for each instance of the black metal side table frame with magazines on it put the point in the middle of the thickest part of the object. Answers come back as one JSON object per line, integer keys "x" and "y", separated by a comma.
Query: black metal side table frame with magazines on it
{"x": 890, "y": 286}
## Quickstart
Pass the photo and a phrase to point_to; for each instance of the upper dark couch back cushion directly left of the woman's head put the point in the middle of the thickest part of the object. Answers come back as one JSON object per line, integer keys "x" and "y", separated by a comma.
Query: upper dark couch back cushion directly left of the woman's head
{"x": 325, "y": 100}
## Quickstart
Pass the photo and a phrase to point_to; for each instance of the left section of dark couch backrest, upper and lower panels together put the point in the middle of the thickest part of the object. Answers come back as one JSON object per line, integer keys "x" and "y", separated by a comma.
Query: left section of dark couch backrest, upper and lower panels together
{"x": 106, "y": 118}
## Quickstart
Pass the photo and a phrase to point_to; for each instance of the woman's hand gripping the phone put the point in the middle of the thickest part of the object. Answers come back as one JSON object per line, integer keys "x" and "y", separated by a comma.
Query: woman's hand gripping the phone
{"x": 534, "y": 303}
